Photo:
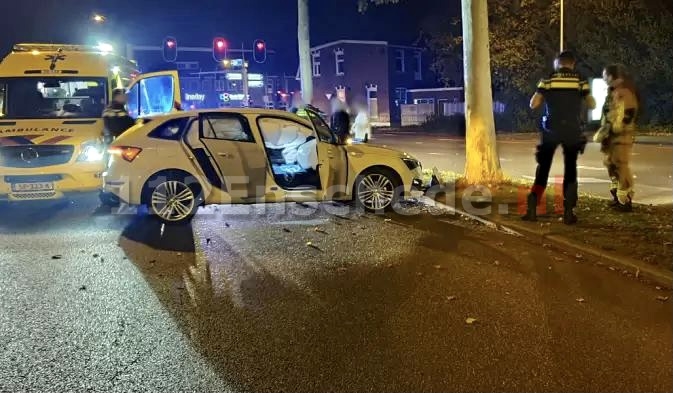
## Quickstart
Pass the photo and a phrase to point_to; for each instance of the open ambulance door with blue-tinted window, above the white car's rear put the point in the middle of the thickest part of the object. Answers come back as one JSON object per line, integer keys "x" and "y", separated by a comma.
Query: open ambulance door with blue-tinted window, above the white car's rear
{"x": 154, "y": 94}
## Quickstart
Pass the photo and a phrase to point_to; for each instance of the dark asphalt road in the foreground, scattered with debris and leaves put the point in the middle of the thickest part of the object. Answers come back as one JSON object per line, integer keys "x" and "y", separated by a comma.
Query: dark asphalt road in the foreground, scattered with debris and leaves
{"x": 241, "y": 301}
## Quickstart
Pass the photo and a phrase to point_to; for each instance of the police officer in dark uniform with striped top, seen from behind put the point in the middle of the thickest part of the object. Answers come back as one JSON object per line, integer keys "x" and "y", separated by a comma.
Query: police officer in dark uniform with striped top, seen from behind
{"x": 563, "y": 95}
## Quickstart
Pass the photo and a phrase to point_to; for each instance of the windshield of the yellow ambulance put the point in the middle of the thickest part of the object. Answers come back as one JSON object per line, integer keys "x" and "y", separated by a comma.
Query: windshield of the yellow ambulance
{"x": 39, "y": 97}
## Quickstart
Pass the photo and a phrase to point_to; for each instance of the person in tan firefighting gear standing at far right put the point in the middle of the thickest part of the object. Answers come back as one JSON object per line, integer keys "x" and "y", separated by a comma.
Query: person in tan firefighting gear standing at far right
{"x": 617, "y": 133}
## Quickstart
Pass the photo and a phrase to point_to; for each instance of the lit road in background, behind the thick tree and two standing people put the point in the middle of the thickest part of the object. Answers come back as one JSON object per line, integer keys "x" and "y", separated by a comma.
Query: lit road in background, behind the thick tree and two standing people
{"x": 652, "y": 164}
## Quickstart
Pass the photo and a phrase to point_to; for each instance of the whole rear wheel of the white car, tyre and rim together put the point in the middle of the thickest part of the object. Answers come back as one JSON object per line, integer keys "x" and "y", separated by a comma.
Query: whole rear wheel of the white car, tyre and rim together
{"x": 172, "y": 198}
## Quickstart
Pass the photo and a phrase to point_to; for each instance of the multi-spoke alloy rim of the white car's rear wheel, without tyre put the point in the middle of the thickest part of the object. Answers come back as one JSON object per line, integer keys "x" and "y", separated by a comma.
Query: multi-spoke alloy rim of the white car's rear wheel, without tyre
{"x": 173, "y": 201}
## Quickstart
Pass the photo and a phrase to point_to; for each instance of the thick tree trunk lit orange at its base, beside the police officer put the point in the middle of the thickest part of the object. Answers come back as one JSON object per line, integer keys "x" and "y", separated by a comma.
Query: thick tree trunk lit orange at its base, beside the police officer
{"x": 482, "y": 163}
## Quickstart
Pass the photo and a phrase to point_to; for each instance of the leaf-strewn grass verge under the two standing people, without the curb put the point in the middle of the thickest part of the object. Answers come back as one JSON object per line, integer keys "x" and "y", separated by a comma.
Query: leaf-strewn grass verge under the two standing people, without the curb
{"x": 646, "y": 234}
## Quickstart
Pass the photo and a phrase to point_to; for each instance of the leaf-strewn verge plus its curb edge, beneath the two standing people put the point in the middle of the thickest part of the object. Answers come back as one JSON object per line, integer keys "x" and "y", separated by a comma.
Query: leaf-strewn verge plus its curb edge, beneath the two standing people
{"x": 638, "y": 243}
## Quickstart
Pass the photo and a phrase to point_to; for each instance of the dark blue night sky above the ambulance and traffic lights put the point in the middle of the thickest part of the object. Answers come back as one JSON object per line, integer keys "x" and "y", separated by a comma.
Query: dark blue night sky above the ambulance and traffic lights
{"x": 139, "y": 22}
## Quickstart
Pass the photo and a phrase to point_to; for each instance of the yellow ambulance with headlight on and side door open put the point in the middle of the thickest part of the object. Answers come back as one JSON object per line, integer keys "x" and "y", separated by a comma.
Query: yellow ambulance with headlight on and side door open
{"x": 52, "y": 97}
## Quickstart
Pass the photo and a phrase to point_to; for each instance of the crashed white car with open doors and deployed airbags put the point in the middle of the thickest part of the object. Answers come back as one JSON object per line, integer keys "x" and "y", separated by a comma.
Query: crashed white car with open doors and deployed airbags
{"x": 176, "y": 162}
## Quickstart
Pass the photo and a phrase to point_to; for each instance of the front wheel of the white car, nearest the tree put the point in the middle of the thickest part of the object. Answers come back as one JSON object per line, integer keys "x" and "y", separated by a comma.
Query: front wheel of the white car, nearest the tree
{"x": 377, "y": 190}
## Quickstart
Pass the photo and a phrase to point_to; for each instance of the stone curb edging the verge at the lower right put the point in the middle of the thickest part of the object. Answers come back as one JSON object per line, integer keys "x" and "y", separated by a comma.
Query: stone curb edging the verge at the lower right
{"x": 658, "y": 276}
